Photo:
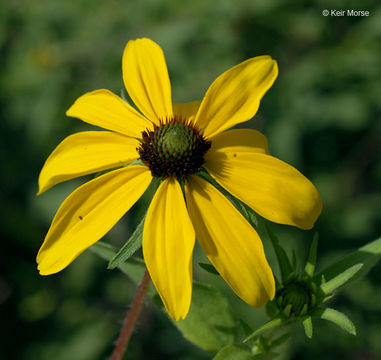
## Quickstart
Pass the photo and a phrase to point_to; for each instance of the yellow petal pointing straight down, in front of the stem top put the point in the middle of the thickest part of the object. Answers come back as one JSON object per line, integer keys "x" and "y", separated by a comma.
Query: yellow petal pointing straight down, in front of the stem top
{"x": 168, "y": 241}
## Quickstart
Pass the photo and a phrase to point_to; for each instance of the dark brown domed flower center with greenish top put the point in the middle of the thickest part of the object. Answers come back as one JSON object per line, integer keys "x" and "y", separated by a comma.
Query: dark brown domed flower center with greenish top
{"x": 173, "y": 148}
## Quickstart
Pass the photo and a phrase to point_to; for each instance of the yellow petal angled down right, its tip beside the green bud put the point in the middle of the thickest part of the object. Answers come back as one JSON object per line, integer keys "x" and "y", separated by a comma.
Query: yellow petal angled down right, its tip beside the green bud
{"x": 230, "y": 243}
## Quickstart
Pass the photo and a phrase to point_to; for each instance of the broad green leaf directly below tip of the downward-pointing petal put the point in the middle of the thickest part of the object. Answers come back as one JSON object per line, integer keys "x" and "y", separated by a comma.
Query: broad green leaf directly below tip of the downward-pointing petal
{"x": 209, "y": 323}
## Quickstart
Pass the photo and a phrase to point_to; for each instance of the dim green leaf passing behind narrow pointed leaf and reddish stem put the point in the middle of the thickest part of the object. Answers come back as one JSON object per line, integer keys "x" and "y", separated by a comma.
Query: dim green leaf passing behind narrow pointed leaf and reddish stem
{"x": 134, "y": 268}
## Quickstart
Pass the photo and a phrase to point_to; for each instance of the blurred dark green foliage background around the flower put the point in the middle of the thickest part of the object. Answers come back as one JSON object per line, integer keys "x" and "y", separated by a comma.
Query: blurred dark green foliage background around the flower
{"x": 322, "y": 115}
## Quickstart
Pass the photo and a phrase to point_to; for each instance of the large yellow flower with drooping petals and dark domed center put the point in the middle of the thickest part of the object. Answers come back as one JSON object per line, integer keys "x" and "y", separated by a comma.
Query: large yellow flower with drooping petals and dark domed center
{"x": 175, "y": 142}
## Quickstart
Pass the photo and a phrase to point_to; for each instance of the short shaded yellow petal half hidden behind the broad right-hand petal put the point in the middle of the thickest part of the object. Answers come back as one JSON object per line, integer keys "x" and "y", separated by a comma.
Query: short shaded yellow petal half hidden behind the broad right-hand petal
{"x": 240, "y": 140}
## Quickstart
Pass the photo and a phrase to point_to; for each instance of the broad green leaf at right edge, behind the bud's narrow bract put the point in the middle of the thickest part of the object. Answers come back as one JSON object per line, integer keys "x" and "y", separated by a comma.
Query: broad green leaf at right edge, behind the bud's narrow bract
{"x": 367, "y": 255}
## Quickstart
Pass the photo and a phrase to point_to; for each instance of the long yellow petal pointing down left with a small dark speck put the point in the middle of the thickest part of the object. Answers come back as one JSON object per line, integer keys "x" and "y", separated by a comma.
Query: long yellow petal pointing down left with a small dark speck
{"x": 88, "y": 214}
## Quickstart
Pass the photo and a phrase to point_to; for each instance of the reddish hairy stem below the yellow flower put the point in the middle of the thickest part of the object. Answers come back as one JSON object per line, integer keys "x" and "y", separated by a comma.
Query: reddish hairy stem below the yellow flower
{"x": 131, "y": 318}
